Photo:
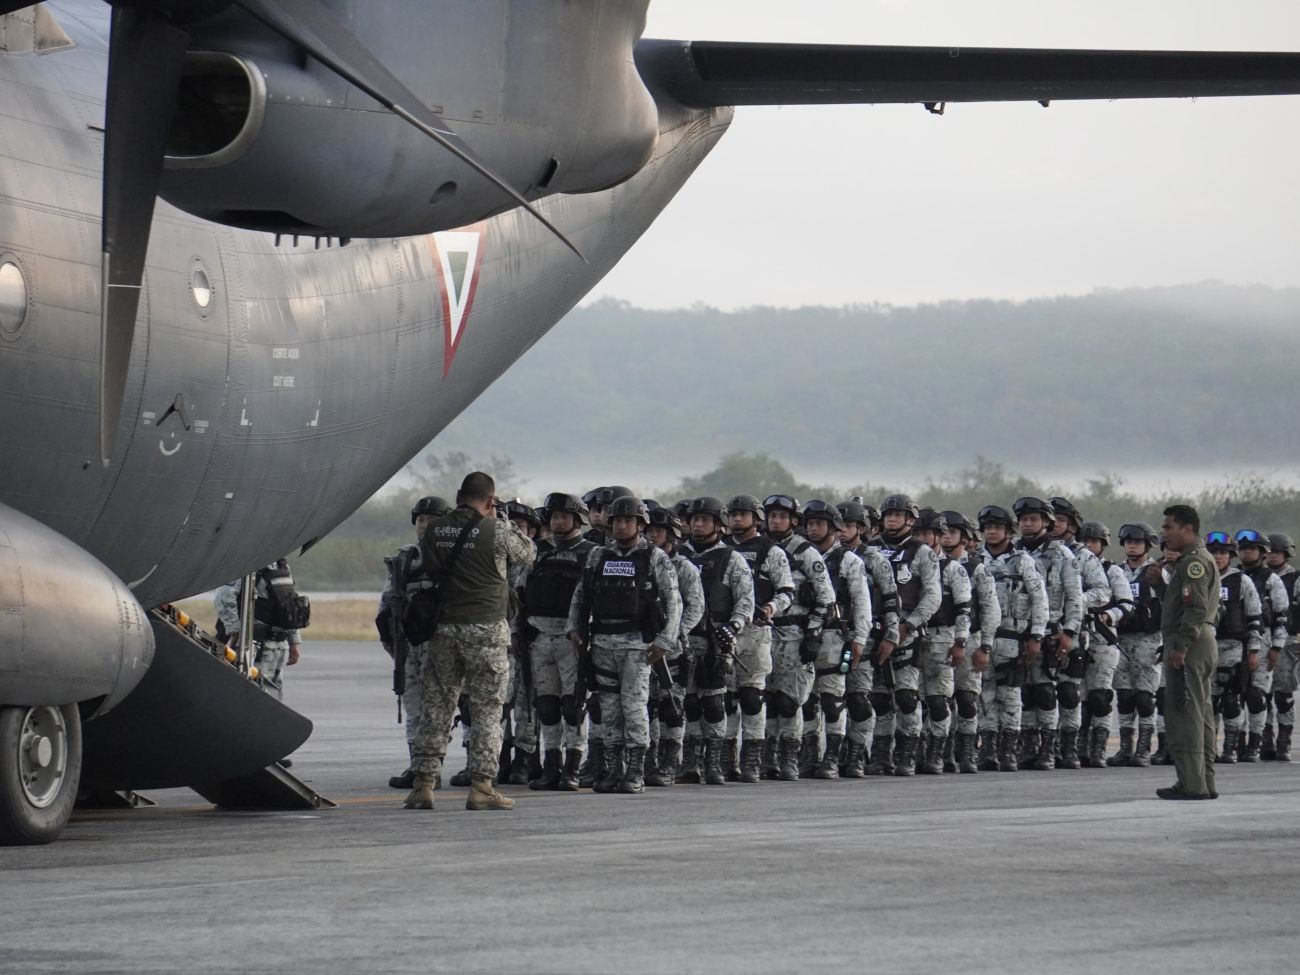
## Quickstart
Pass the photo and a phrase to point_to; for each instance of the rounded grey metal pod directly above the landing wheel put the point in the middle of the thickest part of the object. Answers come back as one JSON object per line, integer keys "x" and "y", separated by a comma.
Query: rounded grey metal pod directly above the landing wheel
{"x": 71, "y": 631}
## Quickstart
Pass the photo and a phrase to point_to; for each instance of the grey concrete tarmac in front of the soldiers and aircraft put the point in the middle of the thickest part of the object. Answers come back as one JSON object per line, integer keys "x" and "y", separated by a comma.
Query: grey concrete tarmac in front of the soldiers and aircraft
{"x": 1029, "y": 873}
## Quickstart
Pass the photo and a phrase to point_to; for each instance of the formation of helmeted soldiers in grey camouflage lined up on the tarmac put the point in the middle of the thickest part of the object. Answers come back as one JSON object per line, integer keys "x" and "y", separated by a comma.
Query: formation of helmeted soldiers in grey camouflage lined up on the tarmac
{"x": 714, "y": 643}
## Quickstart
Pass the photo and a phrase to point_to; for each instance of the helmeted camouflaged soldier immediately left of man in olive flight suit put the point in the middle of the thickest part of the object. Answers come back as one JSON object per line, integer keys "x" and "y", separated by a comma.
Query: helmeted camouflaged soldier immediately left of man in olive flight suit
{"x": 1138, "y": 675}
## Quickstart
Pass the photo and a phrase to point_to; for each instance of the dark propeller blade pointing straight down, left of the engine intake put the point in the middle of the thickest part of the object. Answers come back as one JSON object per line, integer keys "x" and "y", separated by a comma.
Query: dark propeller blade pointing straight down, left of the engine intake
{"x": 146, "y": 55}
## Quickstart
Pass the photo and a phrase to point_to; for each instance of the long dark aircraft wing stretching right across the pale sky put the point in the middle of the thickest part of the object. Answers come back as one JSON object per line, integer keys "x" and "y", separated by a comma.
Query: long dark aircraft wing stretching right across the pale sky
{"x": 710, "y": 73}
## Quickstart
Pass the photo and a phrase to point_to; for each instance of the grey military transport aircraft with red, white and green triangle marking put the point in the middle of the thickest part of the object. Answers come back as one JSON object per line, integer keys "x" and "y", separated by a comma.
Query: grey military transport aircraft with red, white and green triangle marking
{"x": 371, "y": 210}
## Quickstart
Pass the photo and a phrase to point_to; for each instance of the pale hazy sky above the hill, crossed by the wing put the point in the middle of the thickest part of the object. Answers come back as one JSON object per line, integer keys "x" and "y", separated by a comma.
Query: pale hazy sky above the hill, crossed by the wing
{"x": 839, "y": 205}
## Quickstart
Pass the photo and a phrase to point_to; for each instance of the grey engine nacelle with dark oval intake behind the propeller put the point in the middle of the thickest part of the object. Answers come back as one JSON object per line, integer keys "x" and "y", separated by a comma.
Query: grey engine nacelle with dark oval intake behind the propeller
{"x": 268, "y": 141}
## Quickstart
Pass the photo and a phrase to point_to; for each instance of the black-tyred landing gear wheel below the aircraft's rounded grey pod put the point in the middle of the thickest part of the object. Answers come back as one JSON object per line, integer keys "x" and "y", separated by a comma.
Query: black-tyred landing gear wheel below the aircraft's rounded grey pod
{"x": 41, "y": 760}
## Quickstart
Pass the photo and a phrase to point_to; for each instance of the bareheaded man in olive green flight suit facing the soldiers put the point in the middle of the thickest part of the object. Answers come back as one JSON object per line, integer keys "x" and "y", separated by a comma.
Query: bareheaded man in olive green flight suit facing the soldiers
{"x": 1191, "y": 655}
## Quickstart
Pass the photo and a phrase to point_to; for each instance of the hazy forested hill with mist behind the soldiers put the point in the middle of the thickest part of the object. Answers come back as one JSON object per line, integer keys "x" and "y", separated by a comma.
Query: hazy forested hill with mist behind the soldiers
{"x": 1178, "y": 376}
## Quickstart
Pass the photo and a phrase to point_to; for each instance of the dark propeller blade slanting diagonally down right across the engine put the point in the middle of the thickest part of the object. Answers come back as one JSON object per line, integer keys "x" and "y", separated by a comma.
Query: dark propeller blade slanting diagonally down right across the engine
{"x": 311, "y": 25}
